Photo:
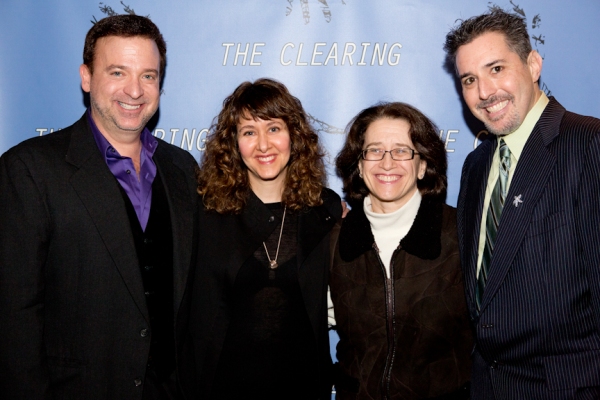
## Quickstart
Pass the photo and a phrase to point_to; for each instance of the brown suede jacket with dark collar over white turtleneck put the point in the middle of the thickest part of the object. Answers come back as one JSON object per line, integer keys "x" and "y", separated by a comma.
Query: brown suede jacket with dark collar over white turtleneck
{"x": 409, "y": 336}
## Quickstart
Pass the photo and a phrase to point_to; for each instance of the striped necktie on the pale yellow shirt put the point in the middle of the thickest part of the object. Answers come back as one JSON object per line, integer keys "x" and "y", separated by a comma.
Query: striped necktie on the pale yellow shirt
{"x": 493, "y": 219}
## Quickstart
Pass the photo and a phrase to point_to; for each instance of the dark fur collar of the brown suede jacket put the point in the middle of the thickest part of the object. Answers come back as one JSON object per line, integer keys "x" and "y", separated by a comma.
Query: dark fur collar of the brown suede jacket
{"x": 423, "y": 240}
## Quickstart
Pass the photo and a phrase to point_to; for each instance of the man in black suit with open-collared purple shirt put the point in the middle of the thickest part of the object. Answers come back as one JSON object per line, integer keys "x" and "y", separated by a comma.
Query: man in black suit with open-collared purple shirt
{"x": 96, "y": 237}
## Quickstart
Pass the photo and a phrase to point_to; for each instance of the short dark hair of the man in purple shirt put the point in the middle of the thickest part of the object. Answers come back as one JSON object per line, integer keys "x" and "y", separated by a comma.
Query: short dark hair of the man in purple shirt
{"x": 126, "y": 25}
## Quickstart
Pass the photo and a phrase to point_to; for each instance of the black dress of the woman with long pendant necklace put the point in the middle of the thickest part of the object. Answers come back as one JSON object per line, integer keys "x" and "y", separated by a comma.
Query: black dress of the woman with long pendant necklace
{"x": 269, "y": 349}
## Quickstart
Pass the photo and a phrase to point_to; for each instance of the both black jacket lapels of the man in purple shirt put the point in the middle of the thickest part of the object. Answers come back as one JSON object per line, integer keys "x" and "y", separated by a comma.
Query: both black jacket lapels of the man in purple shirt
{"x": 100, "y": 195}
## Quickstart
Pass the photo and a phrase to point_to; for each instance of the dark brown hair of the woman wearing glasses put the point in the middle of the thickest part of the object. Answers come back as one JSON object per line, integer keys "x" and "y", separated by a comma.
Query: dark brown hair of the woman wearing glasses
{"x": 424, "y": 135}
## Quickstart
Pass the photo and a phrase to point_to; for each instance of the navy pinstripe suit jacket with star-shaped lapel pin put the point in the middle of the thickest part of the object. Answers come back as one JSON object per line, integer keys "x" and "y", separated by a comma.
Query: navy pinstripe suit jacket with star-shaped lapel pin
{"x": 538, "y": 331}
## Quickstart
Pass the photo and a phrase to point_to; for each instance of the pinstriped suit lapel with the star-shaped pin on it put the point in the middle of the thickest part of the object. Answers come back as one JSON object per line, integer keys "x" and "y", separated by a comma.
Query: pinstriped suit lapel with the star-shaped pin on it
{"x": 531, "y": 175}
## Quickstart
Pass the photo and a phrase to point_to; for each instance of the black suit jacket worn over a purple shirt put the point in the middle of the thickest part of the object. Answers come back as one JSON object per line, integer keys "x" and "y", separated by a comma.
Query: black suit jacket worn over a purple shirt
{"x": 72, "y": 303}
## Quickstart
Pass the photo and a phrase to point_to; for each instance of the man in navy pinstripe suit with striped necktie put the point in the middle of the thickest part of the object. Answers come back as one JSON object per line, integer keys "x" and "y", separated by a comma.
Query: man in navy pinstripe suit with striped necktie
{"x": 529, "y": 222}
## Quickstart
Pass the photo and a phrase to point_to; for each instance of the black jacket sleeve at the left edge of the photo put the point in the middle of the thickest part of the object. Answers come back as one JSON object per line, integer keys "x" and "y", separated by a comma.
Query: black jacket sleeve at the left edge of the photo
{"x": 24, "y": 242}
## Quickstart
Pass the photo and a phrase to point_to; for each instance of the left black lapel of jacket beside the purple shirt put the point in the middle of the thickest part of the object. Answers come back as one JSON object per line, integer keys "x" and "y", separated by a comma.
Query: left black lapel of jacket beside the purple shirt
{"x": 97, "y": 188}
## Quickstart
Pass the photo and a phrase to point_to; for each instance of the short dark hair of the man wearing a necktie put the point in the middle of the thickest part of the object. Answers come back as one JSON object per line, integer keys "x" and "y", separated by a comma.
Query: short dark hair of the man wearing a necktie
{"x": 512, "y": 26}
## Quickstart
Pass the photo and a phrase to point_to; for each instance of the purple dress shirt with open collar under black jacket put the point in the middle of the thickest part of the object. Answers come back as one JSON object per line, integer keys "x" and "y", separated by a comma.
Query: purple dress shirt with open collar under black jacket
{"x": 139, "y": 190}
